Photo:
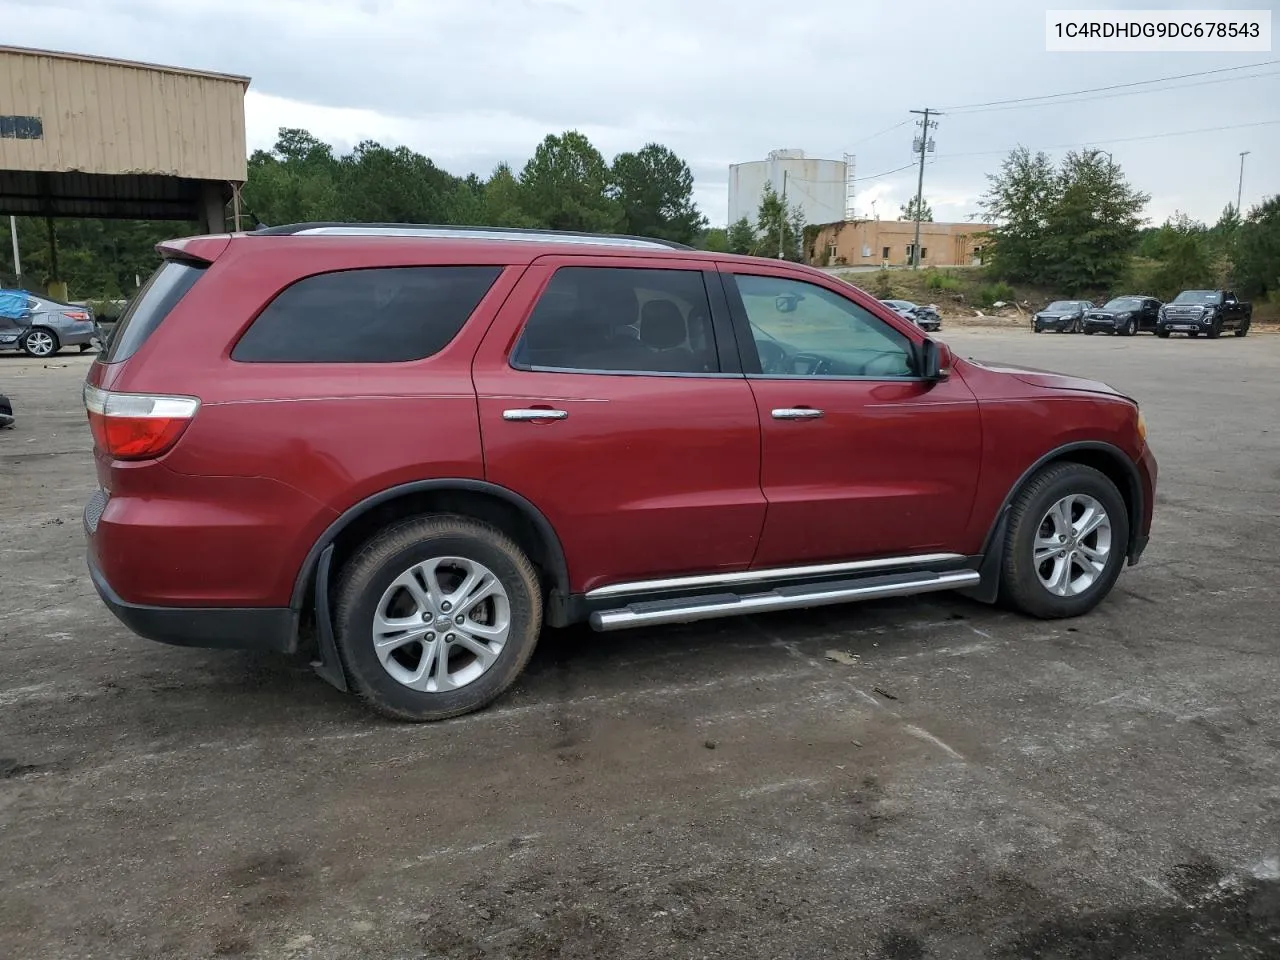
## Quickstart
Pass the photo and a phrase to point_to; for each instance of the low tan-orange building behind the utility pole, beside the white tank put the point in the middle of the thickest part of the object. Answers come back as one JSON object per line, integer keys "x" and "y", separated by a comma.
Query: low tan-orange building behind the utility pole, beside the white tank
{"x": 865, "y": 243}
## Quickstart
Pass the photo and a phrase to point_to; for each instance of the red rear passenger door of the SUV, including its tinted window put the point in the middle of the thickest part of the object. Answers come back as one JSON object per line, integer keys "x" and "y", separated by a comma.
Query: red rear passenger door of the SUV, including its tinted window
{"x": 648, "y": 459}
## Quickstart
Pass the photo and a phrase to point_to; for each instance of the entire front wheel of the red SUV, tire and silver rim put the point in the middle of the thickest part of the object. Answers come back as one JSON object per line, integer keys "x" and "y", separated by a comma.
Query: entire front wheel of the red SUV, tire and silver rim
{"x": 1067, "y": 542}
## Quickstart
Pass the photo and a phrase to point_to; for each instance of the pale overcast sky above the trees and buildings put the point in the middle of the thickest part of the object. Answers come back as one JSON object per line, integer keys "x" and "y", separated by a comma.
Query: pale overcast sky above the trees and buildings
{"x": 476, "y": 83}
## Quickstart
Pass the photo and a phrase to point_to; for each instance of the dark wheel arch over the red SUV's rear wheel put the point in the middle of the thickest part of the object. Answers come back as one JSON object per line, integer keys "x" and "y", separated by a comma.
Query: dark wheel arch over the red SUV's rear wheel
{"x": 478, "y": 499}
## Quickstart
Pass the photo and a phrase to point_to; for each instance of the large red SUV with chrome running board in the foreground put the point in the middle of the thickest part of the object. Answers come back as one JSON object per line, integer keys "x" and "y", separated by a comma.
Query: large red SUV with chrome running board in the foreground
{"x": 409, "y": 449}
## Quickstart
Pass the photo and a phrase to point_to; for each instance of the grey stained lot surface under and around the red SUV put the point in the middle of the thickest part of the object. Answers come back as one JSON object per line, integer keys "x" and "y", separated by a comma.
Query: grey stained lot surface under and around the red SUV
{"x": 959, "y": 783}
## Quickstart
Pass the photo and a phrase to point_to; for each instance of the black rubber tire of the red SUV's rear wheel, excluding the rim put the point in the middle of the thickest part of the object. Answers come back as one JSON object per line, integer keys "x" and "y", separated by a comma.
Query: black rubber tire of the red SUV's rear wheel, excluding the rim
{"x": 382, "y": 560}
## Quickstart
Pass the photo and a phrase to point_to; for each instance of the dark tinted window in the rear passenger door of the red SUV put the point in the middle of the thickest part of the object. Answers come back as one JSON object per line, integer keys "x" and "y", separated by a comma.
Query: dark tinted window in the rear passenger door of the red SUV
{"x": 621, "y": 321}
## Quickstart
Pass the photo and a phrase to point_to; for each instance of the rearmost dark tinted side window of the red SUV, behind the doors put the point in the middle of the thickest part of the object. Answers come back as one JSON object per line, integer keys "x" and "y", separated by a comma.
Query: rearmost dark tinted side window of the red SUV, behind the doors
{"x": 381, "y": 316}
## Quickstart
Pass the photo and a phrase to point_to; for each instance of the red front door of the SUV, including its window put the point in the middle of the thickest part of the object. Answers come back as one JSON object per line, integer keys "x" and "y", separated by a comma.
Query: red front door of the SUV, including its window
{"x": 861, "y": 458}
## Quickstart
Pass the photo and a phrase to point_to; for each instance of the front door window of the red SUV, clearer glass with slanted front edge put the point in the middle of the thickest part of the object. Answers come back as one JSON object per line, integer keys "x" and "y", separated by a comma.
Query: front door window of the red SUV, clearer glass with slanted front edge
{"x": 802, "y": 330}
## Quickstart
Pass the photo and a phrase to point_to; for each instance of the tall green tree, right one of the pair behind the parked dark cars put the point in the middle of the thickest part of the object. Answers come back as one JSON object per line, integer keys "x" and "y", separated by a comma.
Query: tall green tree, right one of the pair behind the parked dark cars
{"x": 1092, "y": 223}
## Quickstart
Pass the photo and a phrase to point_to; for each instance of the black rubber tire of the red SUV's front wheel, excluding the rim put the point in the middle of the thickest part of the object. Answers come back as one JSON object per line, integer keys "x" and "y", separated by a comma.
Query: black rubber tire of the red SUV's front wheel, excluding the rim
{"x": 1021, "y": 586}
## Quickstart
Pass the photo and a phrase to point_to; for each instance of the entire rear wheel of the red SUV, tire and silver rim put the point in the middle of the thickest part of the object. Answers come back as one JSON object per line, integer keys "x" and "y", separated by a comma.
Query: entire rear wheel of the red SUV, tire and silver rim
{"x": 437, "y": 618}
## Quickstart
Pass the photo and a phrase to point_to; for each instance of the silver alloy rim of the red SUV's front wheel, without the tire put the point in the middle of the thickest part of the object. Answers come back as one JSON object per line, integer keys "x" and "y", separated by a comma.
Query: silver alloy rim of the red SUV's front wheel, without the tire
{"x": 1073, "y": 546}
